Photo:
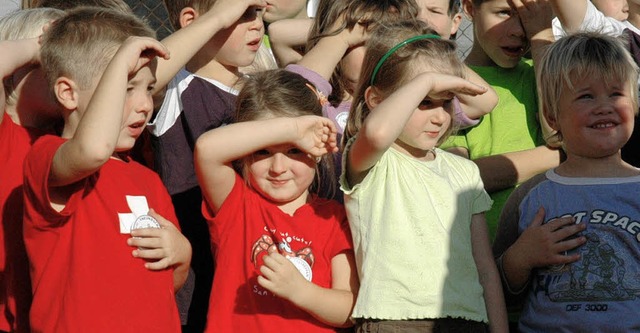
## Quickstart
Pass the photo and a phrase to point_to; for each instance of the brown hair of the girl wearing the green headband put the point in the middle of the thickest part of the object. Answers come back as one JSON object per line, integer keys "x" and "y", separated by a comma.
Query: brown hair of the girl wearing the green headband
{"x": 398, "y": 68}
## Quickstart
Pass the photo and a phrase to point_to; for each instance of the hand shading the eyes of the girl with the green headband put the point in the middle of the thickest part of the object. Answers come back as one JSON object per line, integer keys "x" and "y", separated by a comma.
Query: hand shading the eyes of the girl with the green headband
{"x": 444, "y": 86}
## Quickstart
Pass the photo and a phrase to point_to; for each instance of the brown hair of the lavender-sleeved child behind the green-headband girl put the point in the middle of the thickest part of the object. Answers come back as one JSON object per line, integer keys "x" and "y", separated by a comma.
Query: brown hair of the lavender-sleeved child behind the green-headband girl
{"x": 369, "y": 13}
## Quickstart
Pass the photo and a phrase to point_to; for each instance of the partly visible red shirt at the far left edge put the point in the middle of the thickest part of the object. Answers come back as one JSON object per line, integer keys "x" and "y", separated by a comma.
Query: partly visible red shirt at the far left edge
{"x": 15, "y": 288}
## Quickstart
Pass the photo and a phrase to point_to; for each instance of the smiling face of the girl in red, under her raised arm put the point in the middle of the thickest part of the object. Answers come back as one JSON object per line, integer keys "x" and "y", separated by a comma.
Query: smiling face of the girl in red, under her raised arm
{"x": 282, "y": 174}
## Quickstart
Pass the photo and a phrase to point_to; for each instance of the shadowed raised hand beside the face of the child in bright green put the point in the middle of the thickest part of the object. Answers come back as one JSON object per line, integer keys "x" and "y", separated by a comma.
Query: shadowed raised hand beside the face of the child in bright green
{"x": 535, "y": 15}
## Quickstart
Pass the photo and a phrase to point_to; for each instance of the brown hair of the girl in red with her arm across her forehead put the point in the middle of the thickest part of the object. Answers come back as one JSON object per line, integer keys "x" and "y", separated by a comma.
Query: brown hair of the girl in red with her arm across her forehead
{"x": 281, "y": 93}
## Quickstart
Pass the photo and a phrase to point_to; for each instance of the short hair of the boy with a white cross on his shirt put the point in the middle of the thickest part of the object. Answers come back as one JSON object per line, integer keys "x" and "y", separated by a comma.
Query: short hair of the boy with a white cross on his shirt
{"x": 81, "y": 44}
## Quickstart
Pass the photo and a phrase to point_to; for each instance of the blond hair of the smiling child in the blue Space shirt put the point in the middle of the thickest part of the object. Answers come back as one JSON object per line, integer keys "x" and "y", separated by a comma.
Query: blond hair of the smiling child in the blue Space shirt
{"x": 578, "y": 56}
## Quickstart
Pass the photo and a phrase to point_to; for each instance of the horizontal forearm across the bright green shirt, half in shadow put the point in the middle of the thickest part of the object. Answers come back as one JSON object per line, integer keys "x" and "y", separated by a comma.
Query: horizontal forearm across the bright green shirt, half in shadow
{"x": 502, "y": 171}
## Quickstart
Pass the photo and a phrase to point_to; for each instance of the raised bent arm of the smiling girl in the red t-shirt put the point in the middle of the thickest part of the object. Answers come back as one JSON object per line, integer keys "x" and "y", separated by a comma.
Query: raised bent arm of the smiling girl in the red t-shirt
{"x": 217, "y": 149}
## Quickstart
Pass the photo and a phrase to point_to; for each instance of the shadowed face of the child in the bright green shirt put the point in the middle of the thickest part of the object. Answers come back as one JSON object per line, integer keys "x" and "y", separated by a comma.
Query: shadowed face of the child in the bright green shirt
{"x": 499, "y": 39}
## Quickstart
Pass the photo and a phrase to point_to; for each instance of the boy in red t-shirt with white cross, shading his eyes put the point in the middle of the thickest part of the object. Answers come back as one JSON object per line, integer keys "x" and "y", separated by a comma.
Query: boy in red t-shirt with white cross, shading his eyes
{"x": 84, "y": 195}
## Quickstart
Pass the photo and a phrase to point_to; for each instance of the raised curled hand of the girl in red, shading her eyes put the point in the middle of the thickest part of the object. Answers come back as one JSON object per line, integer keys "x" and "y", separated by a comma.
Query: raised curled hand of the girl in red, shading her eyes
{"x": 316, "y": 135}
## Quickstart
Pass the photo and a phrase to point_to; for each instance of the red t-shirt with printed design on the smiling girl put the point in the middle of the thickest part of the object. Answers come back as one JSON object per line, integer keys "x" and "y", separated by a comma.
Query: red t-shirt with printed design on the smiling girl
{"x": 248, "y": 226}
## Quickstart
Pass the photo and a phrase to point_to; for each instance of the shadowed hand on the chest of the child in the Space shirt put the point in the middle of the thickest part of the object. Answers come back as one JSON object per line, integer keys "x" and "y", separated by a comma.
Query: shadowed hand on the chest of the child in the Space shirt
{"x": 542, "y": 245}
